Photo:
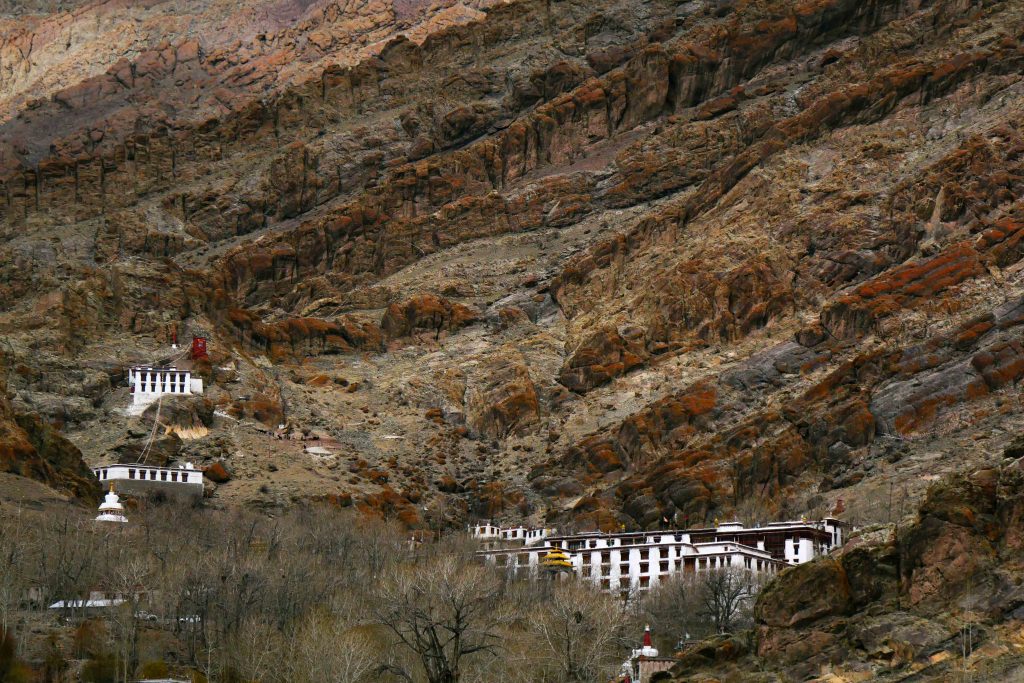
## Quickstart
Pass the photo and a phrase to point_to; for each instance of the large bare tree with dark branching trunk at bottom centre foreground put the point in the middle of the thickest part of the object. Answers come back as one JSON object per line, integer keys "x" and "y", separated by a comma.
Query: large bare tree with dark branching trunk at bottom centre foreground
{"x": 443, "y": 611}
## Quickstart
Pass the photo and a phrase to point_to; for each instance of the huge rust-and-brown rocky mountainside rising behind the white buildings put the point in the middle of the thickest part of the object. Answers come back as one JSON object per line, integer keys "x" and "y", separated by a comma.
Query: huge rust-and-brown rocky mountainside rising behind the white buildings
{"x": 606, "y": 263}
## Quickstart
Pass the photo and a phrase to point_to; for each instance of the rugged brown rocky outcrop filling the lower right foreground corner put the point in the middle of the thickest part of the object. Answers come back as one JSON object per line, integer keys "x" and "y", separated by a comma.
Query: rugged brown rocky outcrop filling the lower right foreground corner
{"x": 936, "y": 600}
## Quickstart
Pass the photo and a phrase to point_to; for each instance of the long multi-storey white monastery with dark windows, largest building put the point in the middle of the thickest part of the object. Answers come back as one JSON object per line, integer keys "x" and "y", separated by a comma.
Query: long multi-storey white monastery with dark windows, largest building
{"x": 639, "y": 561}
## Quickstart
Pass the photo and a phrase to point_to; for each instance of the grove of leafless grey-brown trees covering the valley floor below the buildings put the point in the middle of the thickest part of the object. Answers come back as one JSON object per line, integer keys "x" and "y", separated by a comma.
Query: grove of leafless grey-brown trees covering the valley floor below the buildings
{"x": 318, "y": 594}
